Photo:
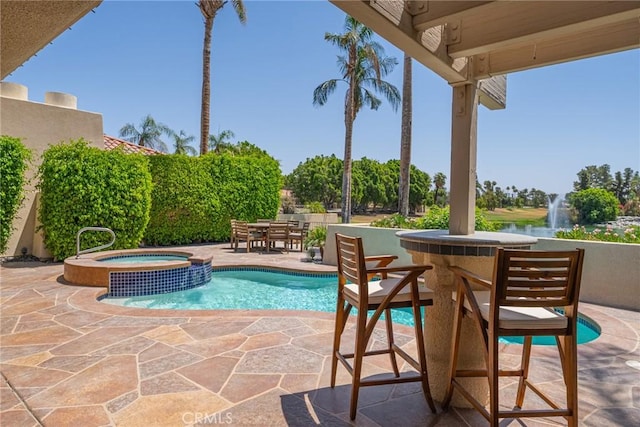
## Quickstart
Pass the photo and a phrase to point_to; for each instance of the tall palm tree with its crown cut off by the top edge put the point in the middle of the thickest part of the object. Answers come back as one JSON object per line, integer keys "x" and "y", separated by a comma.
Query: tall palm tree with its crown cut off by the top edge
{"x": 209, "y": 9}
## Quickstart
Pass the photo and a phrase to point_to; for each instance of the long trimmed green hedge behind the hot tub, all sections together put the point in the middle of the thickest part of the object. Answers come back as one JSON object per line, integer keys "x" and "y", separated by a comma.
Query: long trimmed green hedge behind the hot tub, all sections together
{"x": 182, "y": 199}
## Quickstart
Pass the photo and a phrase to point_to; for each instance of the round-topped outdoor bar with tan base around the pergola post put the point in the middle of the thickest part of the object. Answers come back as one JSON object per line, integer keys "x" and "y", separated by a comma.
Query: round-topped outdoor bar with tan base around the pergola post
{"x": 475, "y": 253}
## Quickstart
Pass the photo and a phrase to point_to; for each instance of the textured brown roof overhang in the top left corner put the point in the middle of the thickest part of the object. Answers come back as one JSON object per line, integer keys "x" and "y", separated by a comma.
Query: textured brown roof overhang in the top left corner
{"x": 28, "y": 26}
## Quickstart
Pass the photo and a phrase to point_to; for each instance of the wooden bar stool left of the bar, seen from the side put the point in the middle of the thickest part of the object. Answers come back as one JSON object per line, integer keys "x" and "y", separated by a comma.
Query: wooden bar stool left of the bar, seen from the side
{"x": 356, "y": 290}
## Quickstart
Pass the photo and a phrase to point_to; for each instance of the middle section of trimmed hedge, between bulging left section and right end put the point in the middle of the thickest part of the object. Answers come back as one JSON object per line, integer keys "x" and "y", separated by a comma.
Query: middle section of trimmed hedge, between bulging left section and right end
{"x": 185, "y": 204}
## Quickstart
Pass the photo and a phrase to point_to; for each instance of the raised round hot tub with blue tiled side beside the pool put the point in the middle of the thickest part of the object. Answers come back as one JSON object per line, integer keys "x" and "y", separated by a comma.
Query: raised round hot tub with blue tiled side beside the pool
{"x": 137, "y": 272}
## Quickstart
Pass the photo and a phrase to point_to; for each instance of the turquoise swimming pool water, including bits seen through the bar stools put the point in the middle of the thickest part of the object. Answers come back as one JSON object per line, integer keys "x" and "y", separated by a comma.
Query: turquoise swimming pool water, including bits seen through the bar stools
{"x": 265, "y": 290}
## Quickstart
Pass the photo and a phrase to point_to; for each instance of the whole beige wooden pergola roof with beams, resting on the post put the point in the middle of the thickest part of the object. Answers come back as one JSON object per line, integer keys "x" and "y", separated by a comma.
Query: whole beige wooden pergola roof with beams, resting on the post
{"x": 466, "y": 41}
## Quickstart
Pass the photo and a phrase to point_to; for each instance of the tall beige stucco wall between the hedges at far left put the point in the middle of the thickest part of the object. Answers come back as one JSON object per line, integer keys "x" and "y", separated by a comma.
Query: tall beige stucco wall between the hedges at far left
{"x": 39, "y": 125}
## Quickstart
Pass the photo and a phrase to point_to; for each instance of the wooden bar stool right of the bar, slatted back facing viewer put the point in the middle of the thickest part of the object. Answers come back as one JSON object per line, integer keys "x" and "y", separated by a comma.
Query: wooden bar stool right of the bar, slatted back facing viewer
{"x": 533, "y": 293}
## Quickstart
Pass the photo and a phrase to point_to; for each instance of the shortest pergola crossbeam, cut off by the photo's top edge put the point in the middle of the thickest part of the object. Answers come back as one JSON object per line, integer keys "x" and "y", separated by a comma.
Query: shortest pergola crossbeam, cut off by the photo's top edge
{"x": 427, "y": 14}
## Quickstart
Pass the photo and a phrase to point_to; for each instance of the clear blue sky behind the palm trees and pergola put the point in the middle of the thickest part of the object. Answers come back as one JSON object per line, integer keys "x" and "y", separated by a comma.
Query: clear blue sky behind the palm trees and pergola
{"x": 133, "y": 58}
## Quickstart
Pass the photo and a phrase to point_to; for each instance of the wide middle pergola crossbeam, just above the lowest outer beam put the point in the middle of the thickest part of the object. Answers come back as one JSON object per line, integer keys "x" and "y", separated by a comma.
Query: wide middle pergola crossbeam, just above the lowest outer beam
{"x": 515, "y": 23}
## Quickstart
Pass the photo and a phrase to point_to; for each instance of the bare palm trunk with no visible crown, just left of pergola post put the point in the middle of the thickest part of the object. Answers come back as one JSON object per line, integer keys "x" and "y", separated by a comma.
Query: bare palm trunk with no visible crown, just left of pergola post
{"x": 405, "y": 139}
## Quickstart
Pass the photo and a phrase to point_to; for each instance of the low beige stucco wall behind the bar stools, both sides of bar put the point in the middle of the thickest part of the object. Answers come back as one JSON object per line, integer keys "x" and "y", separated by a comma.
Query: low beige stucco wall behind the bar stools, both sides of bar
{"x": 610, "y": 275}
